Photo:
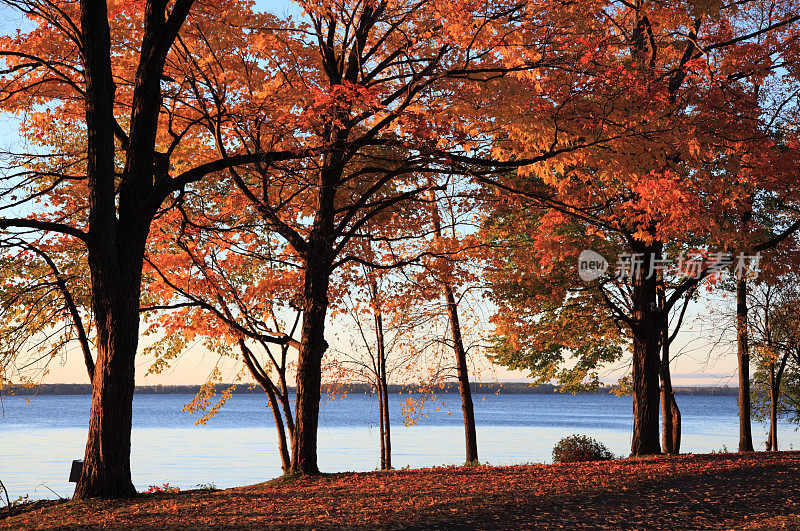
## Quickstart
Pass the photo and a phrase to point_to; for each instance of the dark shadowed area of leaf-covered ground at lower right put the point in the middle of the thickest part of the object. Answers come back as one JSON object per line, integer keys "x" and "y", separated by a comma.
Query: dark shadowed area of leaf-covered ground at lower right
{"x": 752, "y": 496}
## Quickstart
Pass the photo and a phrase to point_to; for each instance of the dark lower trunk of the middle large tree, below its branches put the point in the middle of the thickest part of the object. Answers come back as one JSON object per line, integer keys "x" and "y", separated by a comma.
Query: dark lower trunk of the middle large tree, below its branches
{"x": 309, "y": 368}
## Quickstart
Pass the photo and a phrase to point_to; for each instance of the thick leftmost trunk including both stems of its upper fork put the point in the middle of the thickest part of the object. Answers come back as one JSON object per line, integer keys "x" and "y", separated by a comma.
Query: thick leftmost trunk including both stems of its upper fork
{"x": 120, "y": 213}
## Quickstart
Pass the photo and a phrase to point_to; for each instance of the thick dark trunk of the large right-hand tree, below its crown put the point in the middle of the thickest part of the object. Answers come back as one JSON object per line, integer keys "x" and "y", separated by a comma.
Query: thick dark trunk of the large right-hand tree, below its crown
{"x": 646, "y": 356}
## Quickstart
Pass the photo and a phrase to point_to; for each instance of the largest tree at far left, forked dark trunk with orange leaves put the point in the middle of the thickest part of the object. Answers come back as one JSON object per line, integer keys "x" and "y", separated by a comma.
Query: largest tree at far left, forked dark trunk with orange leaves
{"x": 101, "y": 74}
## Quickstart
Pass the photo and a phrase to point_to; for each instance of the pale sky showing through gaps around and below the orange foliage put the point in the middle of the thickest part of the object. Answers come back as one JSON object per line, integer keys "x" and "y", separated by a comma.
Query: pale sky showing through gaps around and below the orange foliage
{"x": 699, "y": 358}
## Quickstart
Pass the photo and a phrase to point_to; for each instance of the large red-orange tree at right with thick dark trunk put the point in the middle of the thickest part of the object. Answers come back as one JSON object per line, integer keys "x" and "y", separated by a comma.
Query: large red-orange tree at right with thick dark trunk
{"x": 674, "y": 86}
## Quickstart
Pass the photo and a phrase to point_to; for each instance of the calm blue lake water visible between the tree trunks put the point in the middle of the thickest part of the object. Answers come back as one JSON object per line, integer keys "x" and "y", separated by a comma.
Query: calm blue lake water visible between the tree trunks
{"x": 40, "y": 438}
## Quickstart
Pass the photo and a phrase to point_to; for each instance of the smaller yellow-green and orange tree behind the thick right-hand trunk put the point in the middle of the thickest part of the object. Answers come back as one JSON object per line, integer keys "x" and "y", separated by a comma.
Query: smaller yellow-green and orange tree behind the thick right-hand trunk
{"x": 564, "y": 327}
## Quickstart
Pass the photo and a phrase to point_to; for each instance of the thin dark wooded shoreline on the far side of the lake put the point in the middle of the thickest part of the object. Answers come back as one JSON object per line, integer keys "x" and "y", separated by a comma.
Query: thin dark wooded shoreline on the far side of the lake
{"x": 510, "y": 388}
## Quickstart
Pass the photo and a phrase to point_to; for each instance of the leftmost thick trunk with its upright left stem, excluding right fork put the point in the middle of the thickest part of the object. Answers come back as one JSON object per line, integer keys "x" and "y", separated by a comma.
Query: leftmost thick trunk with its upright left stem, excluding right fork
{"x": 115, "y": 280}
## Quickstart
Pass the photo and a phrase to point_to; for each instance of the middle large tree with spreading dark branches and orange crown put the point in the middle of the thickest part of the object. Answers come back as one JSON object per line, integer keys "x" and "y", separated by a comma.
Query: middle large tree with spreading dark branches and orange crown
{"x": 366, "y": 92}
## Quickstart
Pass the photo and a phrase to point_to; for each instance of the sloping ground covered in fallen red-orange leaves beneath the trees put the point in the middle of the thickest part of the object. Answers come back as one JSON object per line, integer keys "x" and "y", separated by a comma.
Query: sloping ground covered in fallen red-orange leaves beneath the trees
{"x": 717, "y": 491}
